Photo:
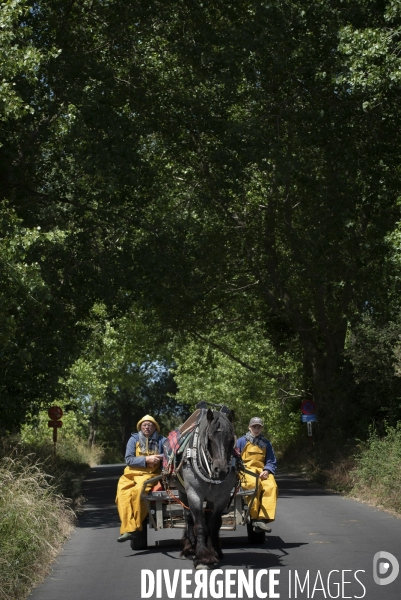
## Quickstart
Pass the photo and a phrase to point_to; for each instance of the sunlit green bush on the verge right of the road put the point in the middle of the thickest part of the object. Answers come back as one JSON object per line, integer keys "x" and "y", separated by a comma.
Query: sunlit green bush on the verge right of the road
{"x": 377, "y": 476}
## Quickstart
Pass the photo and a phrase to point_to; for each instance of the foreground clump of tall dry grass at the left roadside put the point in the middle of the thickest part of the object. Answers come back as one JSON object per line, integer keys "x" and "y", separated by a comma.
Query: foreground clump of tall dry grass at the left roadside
{"x": 34, "y": 521}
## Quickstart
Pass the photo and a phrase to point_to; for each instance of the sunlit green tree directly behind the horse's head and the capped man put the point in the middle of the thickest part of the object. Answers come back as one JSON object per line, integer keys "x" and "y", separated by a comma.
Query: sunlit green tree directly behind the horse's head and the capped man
{"x": 262, "y": 382}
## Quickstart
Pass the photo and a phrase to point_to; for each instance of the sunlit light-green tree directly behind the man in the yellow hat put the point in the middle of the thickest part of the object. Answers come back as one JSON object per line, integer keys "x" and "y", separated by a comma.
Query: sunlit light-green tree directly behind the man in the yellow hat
{"x": 122, "y": 375}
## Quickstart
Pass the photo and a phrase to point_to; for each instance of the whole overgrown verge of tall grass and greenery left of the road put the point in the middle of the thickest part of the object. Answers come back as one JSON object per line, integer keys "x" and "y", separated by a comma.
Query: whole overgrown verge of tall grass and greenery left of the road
{"x": 38, "y": 490}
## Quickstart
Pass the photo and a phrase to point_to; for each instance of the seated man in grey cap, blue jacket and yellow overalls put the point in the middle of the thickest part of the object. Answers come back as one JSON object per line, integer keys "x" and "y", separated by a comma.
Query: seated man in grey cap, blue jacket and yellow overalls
{"x": 258, "y": 456}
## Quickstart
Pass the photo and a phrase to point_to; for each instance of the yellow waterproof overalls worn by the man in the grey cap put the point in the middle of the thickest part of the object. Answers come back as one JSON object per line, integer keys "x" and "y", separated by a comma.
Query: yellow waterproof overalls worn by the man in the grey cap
{"x": 264, "y": 505}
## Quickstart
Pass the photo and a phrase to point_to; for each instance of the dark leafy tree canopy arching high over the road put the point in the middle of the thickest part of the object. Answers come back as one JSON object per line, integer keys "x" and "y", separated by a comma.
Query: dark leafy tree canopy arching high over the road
{"x": 225, "y": 169}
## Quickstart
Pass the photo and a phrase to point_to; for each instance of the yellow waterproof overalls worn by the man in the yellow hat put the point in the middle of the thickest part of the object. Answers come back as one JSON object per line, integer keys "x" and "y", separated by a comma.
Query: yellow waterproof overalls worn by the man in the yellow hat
{"x": 131, "y": 508}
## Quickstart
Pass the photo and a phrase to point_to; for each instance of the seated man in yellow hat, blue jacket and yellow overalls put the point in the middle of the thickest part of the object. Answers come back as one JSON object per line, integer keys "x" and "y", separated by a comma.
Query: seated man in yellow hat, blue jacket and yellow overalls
{"x": 143, "y": 457}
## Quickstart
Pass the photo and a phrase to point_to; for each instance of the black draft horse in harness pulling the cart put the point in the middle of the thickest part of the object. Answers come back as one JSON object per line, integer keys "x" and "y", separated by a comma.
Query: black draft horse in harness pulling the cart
{"x": 207, "y": 473}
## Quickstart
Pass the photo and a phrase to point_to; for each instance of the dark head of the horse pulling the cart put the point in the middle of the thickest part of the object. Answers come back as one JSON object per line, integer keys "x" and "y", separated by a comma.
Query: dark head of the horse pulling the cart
{"x": 219, "y": 440}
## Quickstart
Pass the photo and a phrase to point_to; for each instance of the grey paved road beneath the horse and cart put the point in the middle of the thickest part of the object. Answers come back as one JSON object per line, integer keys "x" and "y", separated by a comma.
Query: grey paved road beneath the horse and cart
{"x": 320, "y": 541}
